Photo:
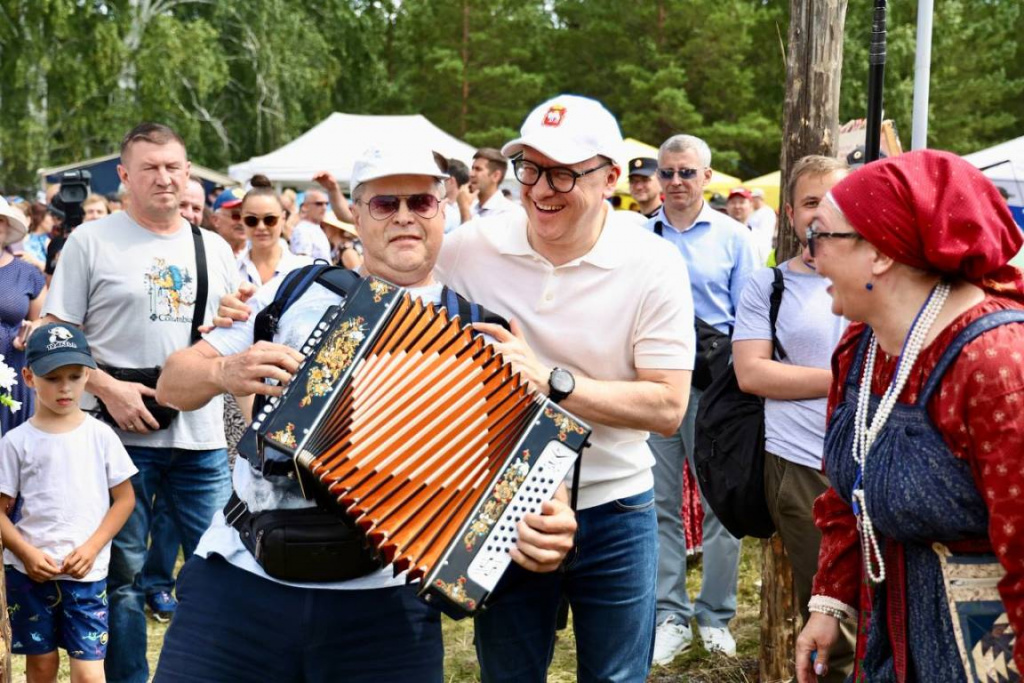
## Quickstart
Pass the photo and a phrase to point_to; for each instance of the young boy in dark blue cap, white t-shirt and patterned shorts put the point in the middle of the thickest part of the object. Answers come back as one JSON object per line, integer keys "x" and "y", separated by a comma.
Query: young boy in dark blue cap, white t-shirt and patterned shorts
{"x": 74, "y": 477}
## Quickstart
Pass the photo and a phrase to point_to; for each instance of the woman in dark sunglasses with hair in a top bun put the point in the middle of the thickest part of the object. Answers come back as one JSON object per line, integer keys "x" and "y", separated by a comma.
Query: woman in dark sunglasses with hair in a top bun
{"x": 264, "y": 218}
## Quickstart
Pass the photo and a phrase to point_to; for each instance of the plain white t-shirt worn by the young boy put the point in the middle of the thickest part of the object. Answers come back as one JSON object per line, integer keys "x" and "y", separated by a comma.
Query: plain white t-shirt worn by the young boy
{"x": 66, "y": 481}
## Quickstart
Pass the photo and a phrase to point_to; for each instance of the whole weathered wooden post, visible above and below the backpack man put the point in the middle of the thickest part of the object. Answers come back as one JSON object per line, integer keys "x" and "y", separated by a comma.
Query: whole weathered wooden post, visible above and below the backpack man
{"x": 815, "y": 66}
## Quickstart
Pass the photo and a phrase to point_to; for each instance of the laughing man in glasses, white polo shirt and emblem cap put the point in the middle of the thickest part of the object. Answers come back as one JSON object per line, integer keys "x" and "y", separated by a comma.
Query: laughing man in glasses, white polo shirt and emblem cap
{"x": 604, "y": 323}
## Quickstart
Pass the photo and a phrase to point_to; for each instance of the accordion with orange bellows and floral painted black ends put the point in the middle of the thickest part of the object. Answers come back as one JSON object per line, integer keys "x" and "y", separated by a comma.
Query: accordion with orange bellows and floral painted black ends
{"x": 423, "y": 436}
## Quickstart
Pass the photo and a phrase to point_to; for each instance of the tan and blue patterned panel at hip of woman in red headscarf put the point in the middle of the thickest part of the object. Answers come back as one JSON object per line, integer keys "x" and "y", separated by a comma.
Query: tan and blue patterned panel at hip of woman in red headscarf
{"x": 985, "y": 637}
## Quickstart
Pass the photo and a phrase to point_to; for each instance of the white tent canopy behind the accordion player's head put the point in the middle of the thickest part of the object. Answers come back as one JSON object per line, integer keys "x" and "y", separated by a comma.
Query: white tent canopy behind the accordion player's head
{"x": 336, "y": 143}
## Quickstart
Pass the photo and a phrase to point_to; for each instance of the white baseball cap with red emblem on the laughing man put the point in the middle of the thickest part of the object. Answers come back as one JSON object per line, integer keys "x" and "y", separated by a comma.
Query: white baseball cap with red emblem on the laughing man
{"x": 570, "y": 130}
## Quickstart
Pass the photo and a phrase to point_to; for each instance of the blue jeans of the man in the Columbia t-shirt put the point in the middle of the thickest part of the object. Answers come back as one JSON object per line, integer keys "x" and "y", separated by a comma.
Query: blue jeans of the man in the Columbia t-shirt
{"x": 196, "y": 485}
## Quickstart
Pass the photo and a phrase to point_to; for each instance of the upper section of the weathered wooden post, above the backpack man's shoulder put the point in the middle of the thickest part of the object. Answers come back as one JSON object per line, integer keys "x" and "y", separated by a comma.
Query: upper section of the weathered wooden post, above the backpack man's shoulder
{"x": 814, "y": 72}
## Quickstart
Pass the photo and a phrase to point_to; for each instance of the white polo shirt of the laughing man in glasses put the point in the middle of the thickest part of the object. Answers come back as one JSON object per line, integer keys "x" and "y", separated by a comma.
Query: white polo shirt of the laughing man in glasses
{"x": 624, "y": 306}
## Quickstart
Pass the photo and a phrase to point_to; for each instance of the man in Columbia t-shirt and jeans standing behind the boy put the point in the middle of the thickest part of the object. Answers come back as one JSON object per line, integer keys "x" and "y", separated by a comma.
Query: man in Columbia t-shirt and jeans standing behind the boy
{"x": 131, "y": 281}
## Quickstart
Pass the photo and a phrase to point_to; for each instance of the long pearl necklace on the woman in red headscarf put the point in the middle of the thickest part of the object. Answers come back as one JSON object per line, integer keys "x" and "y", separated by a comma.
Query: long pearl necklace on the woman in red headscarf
{"x": 866, "y": 435}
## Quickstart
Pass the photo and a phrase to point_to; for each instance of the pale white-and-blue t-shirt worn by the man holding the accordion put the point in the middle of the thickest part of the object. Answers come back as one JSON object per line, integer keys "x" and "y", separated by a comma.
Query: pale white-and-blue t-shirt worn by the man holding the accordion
{"x": 280, "y": 493}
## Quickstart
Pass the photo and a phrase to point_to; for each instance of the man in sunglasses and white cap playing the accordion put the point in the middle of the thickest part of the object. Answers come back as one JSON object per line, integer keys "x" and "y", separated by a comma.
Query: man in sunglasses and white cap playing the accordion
{"x": 237, "y": 622}
